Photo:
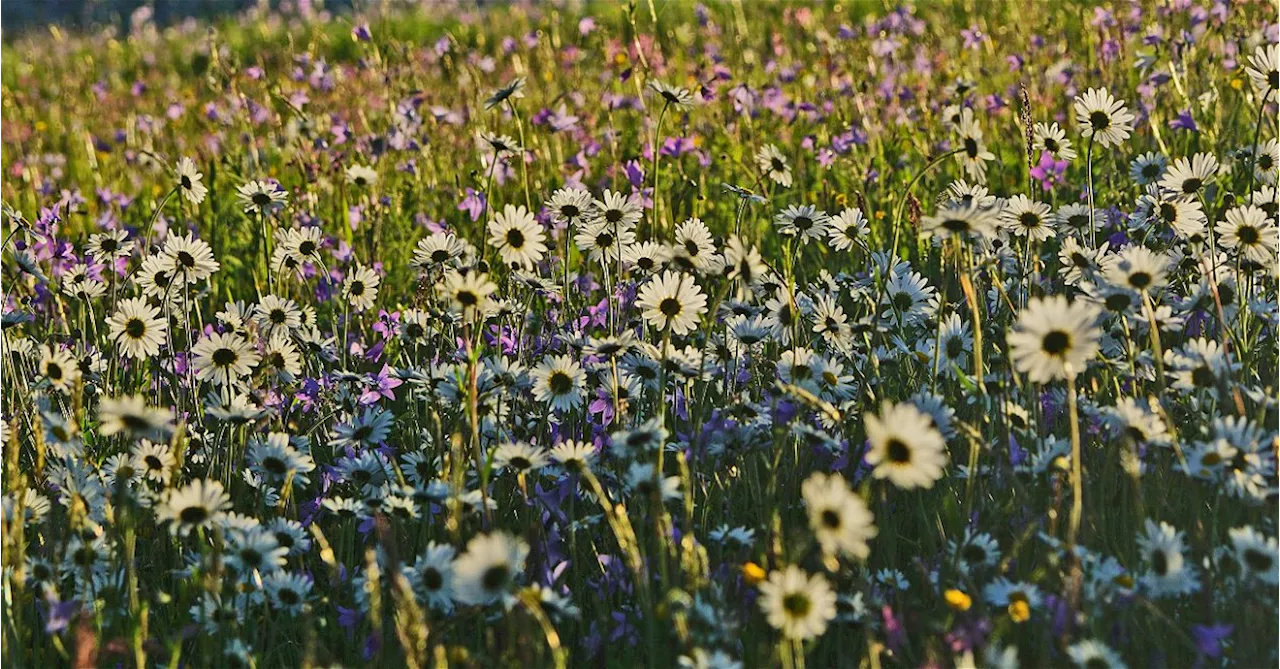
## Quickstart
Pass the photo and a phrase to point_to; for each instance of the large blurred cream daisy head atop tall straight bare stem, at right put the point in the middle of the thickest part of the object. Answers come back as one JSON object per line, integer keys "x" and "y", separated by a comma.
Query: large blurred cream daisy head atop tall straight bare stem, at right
{"x": 1054, "y": 338}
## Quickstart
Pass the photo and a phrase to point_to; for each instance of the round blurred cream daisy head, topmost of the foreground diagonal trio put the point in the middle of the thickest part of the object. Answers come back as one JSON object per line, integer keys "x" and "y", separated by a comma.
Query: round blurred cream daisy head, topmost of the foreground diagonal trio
{"x": 906, "y": 447}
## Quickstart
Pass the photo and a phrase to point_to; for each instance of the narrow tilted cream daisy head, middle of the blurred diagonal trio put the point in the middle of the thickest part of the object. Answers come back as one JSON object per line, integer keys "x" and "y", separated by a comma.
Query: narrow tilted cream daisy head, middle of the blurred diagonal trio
{"x": 838, "y": 517}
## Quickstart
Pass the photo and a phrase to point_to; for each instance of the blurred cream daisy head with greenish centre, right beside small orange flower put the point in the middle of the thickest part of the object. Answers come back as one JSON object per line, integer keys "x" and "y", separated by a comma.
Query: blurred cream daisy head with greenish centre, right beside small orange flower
{"x": 797, "y": 604}
